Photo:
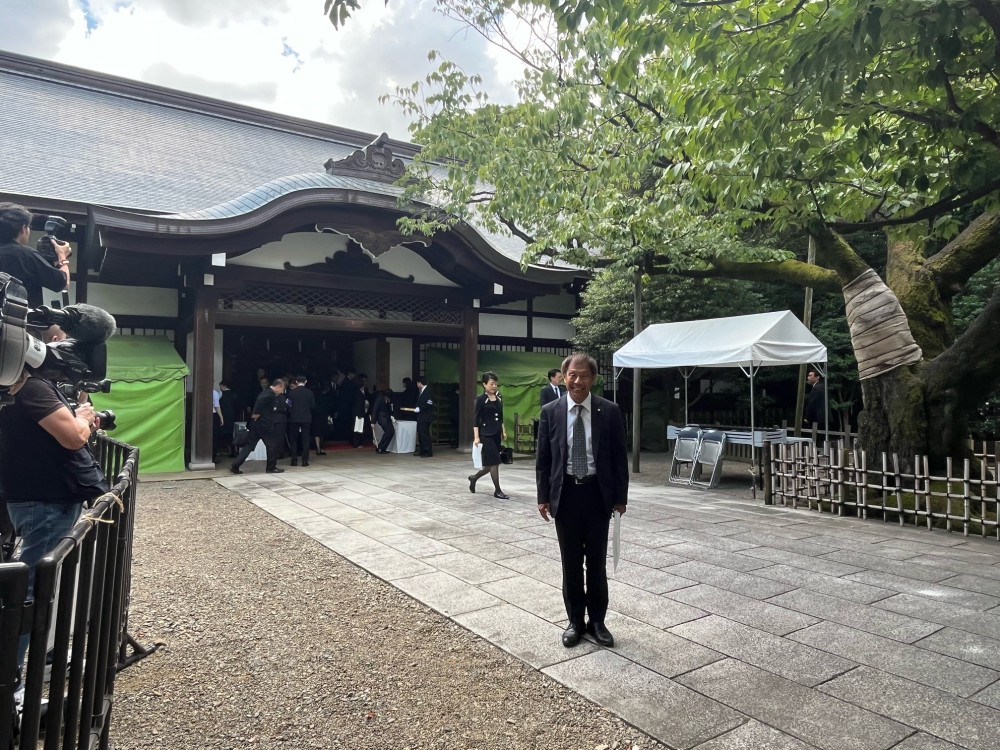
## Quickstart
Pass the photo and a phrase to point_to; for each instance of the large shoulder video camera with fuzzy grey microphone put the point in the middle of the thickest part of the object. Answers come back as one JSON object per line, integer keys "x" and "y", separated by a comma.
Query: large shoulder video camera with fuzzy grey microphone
{"x": 79, "y": 359}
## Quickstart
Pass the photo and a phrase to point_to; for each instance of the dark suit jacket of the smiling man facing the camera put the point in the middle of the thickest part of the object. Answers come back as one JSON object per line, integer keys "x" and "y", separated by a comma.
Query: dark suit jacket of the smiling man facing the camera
{"x": 610, "y": 454}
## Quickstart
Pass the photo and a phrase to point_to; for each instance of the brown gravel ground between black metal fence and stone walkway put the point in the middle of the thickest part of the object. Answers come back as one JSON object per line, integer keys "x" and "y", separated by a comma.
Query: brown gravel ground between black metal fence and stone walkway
{"x": 274, "y": 641}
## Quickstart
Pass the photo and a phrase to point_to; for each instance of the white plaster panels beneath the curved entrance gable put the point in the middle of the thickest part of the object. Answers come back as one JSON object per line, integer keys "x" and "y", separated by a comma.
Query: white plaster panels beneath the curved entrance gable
{"x": 305, "y": 248}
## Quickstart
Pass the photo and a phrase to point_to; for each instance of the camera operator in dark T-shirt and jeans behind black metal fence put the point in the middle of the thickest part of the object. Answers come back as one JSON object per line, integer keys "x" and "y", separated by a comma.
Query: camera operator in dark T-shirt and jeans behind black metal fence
{"x": 47, "y": 471}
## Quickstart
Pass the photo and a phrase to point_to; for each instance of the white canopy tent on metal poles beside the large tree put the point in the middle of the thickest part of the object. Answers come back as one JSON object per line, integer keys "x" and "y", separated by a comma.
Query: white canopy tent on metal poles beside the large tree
{"x": 746, "y": 341}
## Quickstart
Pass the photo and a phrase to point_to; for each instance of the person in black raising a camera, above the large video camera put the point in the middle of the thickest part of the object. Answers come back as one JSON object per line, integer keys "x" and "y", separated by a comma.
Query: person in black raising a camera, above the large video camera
{"x": 25, "y": 263}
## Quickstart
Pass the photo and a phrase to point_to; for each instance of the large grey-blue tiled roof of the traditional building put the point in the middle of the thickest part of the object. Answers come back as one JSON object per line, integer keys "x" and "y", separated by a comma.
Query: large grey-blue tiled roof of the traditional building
{"x": 77, "y": 136}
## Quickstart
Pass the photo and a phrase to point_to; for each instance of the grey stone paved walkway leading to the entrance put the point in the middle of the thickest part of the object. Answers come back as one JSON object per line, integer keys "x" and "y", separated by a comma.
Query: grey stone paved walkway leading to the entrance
{"x": 737, "y": 625}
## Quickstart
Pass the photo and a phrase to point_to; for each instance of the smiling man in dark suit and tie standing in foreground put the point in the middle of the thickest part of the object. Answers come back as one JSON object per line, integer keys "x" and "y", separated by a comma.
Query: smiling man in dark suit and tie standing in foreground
{"x": 581, "y": 472}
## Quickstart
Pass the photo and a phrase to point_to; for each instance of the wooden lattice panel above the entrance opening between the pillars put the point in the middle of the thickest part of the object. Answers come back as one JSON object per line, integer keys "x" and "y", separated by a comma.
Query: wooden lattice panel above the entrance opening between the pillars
{"x": 259, "y": 299}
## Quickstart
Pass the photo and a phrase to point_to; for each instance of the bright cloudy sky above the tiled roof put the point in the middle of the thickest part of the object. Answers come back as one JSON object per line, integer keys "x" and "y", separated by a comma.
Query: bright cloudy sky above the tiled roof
{"x": 279, "y": 55}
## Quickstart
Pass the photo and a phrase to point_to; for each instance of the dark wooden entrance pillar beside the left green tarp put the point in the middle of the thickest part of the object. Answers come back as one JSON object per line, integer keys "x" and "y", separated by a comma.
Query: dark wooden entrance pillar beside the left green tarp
{"x": 205, "y": 303}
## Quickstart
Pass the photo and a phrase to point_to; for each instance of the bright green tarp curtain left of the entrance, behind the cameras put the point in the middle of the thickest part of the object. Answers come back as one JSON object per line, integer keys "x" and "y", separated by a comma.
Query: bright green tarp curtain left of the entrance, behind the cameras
{"x": 147, "y": 397}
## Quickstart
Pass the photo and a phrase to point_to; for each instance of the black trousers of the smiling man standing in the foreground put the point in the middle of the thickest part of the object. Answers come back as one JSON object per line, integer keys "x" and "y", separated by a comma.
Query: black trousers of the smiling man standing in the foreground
{"x": 582, "y": 529}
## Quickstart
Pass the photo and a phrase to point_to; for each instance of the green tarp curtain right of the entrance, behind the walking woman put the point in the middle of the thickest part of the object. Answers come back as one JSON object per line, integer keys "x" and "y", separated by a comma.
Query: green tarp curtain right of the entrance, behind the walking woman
{"x": 521, "y": 376}
